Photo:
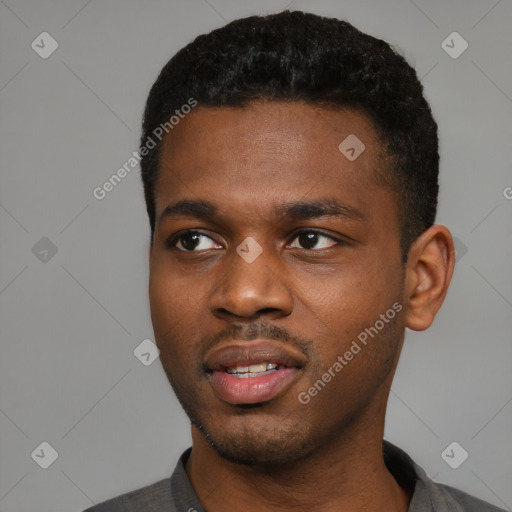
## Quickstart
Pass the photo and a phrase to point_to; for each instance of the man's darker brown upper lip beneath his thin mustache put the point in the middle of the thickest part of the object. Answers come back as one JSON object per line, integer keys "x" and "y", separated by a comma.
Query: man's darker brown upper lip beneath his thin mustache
{"x": 246, "y": 353}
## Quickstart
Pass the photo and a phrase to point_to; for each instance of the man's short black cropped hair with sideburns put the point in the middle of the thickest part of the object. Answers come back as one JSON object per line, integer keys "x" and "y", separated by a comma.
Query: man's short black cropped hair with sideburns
{"x": 297, "y": 56}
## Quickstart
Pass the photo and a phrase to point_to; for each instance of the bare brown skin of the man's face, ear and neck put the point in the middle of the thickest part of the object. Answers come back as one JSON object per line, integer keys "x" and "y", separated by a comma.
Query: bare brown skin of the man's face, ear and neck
{"x": 284, "y": 455}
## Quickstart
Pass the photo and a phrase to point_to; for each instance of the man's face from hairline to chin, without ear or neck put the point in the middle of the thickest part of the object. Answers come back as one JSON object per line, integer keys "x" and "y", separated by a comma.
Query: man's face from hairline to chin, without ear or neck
{"x": 273, "y": 255}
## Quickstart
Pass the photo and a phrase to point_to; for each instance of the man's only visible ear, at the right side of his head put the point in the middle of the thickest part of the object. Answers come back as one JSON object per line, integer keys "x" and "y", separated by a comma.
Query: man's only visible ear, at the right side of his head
{"x": 429, "y": 270}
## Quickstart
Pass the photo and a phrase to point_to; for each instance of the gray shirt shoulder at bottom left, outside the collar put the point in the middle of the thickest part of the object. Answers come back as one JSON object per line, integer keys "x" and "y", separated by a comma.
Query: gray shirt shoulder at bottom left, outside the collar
{"x": 152, "y": 498}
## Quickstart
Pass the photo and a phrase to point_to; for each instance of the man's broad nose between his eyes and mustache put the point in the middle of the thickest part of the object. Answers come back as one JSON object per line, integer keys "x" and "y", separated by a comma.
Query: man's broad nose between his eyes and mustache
{"x": 248, "y": 290}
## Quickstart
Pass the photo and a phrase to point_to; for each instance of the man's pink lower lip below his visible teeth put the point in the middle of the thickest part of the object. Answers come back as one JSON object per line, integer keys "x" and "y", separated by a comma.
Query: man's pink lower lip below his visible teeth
{"x": 251, "y": 390}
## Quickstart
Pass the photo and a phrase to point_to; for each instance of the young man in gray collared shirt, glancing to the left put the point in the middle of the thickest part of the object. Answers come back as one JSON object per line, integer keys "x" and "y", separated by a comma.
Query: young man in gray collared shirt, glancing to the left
{"x": 290, "y": 168}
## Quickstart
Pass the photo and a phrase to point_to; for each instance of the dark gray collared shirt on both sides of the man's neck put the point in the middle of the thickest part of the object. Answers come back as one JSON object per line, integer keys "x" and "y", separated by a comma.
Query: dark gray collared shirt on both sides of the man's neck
{"x": 176, "y": 494}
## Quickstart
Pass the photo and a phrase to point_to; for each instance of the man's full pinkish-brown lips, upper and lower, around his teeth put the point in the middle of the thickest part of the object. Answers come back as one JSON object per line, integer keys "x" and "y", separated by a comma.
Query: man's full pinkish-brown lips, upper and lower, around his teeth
{"x": 252, "y": 390}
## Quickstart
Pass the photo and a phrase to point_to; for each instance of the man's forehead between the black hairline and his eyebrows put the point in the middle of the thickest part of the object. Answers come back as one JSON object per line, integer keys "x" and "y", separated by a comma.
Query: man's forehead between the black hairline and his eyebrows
{"x": 267, "y": 151}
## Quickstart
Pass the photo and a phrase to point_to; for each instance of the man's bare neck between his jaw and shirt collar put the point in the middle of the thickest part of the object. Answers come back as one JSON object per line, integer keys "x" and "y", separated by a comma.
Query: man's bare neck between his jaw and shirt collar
{"x": 348, "y": 474}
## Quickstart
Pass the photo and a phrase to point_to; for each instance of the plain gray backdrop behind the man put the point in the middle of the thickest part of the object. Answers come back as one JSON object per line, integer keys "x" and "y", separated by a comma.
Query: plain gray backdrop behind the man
{"x": 69, "y": 325}
